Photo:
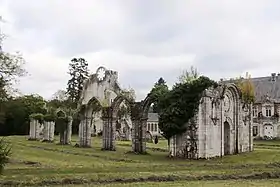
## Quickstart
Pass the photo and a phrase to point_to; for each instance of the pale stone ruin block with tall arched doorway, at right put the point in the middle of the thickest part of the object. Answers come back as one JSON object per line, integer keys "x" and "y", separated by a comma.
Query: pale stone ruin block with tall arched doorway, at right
{"x": 222, "y": 126}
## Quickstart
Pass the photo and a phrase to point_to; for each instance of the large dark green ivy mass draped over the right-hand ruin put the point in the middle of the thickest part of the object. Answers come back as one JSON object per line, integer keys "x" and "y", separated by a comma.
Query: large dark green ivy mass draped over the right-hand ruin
{"x": 180, "y": 105}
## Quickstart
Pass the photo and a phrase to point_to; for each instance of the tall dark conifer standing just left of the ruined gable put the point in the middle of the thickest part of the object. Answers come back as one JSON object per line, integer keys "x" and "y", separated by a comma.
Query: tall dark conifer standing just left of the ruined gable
{"x": 78, "y": 70}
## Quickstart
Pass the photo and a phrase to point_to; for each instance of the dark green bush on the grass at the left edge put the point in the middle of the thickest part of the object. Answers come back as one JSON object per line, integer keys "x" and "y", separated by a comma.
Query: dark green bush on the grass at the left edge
{"x": 5, "y": 152}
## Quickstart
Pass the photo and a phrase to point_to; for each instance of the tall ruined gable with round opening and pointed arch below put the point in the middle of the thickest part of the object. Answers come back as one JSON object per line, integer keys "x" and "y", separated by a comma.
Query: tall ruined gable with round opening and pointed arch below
{"x": 100, "y": 91}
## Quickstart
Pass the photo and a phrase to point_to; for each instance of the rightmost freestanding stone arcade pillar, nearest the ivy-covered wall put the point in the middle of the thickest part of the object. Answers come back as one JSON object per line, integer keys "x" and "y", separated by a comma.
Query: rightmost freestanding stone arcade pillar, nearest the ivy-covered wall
{"x": 138, "y": 129}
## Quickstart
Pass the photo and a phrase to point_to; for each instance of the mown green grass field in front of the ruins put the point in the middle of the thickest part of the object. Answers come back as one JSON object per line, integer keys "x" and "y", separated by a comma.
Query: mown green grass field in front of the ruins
{"x": 47, "y": 164}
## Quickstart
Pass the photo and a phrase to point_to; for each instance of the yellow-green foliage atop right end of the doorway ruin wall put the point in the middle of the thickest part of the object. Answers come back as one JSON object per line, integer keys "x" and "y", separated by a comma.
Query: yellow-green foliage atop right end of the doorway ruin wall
{"x": 247, "y": 88}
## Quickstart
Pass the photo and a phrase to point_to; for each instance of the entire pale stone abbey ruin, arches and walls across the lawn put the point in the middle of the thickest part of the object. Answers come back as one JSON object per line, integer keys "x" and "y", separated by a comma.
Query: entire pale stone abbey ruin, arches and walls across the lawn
{"x": 222, "y": 126}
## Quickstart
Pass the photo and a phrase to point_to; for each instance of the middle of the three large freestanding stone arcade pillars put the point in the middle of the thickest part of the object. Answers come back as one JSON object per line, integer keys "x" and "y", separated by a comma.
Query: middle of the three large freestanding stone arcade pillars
{"x": 109, "y": 130}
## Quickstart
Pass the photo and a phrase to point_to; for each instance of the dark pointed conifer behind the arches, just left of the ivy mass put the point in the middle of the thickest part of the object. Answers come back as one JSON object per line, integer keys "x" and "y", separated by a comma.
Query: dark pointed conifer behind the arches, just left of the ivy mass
{"x": 159, "y": 90}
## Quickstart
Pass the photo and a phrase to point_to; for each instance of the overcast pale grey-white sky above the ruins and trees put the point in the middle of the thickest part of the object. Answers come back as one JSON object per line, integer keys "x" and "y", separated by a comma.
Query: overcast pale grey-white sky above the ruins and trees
{"x": 142, "y": 39}
